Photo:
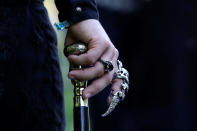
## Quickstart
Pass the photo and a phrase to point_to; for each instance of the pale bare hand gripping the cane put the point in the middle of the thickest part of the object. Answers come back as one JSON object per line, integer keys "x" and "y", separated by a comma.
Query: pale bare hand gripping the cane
{"x": 99, "y": 47}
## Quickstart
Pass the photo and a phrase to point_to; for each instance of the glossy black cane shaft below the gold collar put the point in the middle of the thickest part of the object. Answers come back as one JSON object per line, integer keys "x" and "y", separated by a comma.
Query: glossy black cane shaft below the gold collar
{"x": 81, "y": 119}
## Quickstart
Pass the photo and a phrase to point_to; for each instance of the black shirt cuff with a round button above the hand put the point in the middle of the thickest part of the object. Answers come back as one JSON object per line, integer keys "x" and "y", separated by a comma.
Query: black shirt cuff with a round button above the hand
{"x": 67, "y": 10}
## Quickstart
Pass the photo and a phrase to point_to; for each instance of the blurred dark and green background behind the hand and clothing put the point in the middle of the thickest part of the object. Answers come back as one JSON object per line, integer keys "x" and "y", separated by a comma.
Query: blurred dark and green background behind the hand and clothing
{"x": 157, "y": 40}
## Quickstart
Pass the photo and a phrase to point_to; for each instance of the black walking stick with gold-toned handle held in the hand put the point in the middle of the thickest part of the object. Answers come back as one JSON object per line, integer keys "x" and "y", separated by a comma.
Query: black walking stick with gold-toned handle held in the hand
{"x": 81, "y": 109}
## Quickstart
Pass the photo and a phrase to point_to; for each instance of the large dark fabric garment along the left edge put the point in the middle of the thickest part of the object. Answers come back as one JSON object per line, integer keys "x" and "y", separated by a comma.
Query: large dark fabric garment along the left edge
{"x": 31, "y": 87}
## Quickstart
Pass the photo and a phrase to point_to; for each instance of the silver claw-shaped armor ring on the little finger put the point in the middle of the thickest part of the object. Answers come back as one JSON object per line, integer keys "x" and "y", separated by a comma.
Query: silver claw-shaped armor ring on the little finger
{"x": 123, "y": 74}
